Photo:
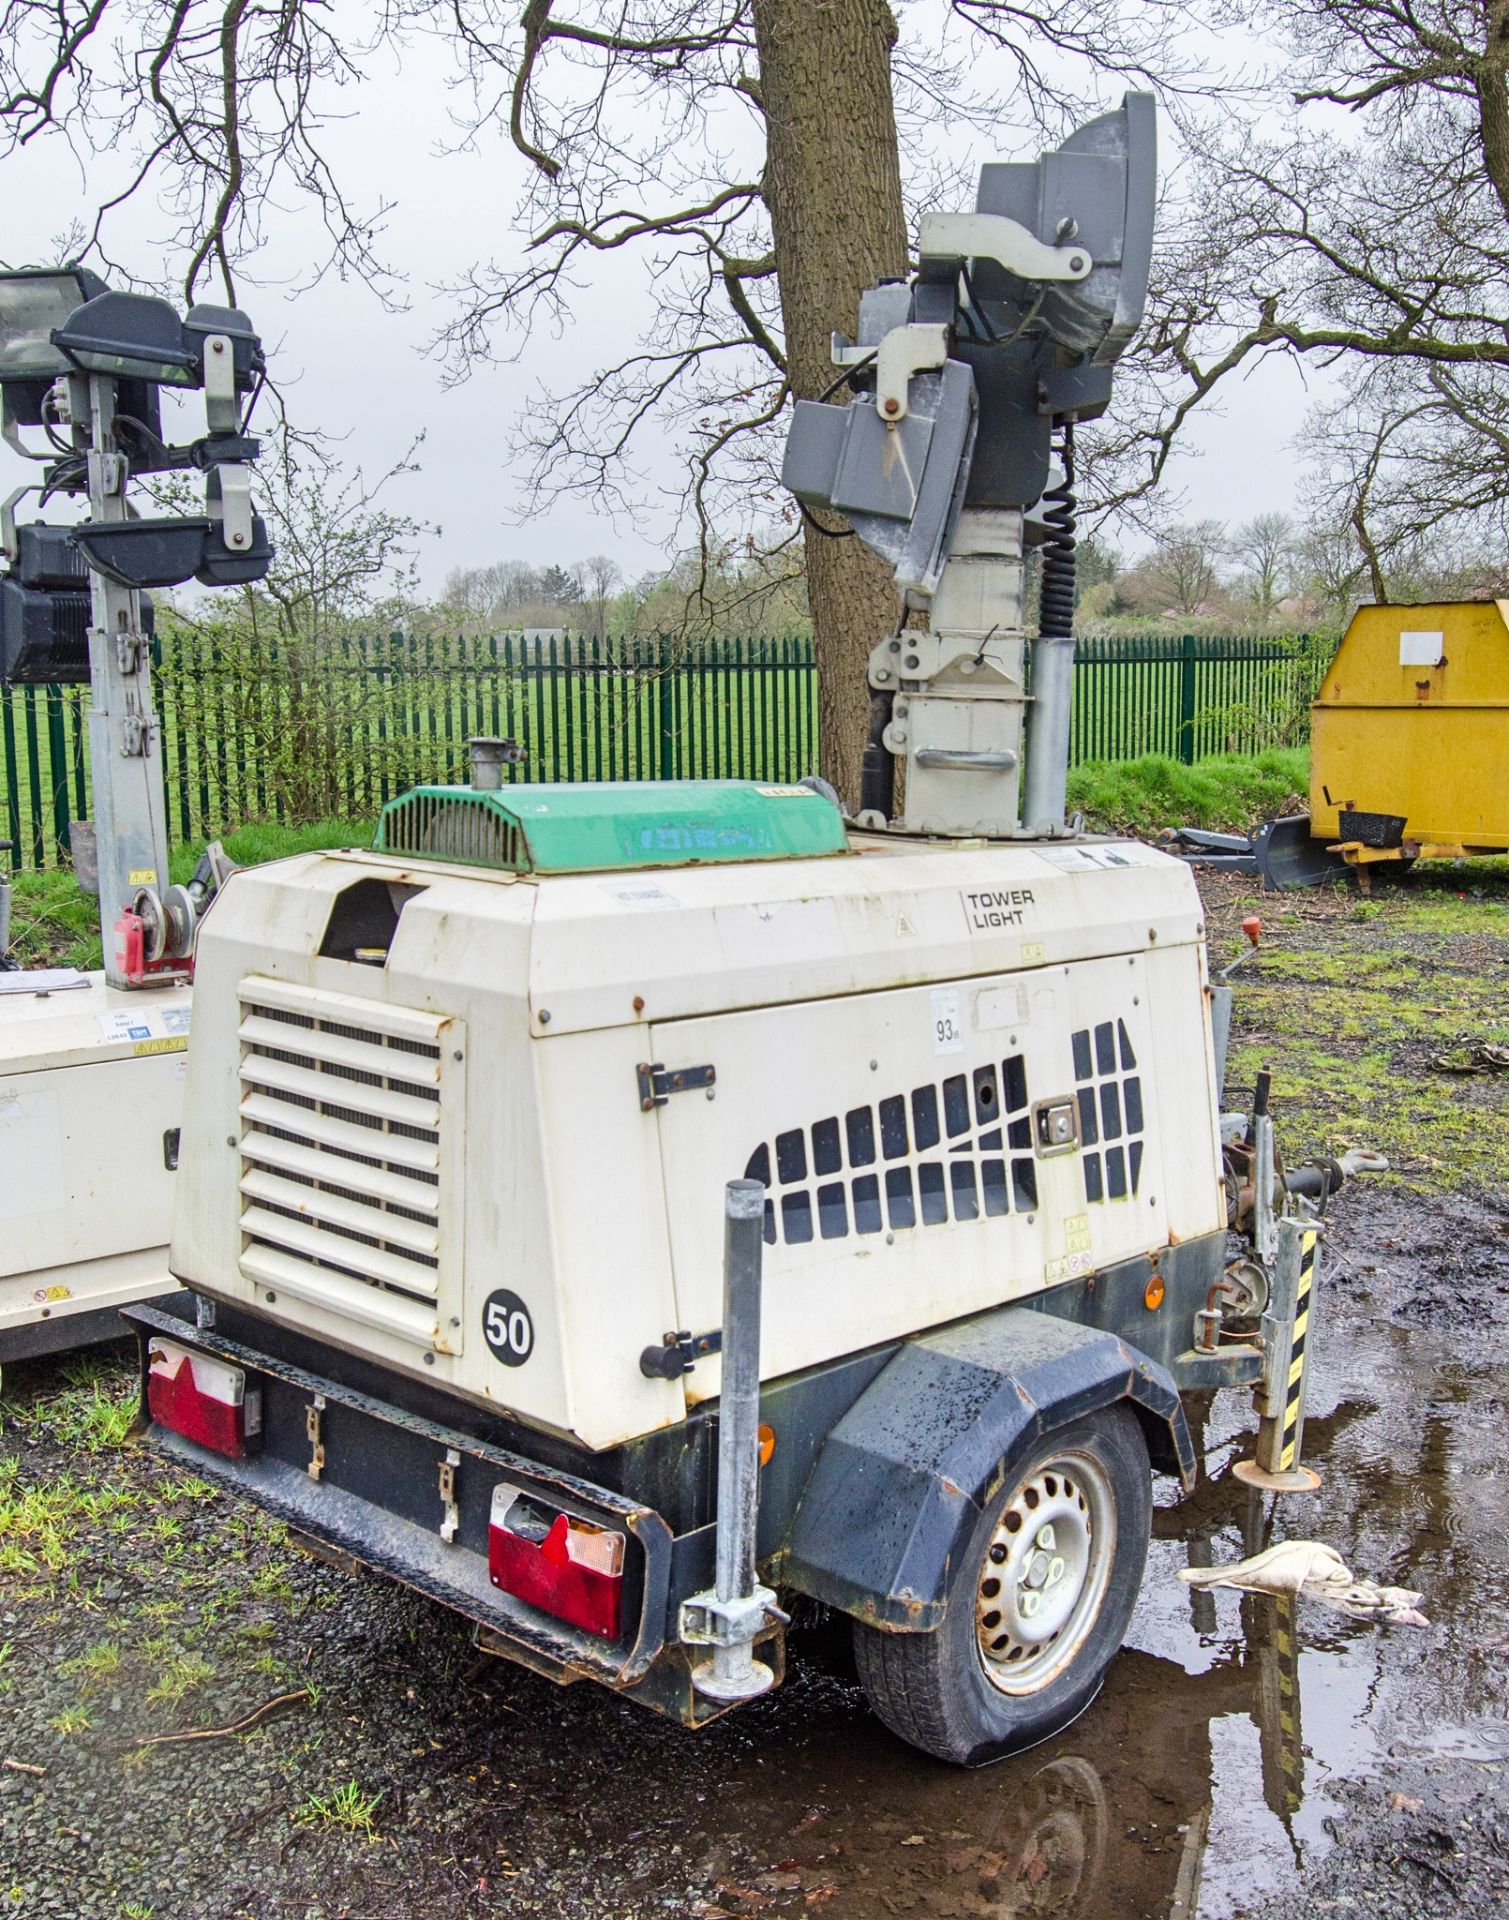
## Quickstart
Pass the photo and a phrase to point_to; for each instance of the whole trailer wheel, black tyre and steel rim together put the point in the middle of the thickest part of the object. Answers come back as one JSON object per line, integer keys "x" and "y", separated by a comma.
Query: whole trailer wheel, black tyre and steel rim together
{"x": 1038, "y": 1604}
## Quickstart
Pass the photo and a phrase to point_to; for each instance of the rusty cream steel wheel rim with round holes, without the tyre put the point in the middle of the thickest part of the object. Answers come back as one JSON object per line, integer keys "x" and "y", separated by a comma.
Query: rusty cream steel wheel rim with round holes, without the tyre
{"x": 1045, "y": 1572}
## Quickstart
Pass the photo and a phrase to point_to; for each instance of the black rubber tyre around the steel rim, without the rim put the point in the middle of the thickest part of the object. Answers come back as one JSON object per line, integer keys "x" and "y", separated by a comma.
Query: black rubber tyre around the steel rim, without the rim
{"x": 934, "y": 1689}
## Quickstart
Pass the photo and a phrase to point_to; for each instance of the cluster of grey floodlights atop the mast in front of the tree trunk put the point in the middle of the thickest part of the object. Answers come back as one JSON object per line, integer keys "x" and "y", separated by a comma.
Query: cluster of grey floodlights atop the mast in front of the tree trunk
{"x": 1013, "y": 324}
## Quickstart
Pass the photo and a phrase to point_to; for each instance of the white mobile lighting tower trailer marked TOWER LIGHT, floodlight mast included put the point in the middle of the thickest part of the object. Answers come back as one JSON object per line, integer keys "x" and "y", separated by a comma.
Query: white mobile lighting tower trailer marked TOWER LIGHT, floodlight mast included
{"x": 617, "y": 1209}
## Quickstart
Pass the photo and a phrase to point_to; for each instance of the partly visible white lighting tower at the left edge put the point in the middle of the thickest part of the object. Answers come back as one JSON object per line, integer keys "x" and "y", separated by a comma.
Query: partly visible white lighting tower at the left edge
{"x": 91, "y": 1065}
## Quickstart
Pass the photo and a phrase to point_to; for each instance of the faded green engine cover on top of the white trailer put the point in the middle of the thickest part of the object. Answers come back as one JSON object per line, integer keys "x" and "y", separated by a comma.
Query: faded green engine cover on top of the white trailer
{"x": 598, "y": 827}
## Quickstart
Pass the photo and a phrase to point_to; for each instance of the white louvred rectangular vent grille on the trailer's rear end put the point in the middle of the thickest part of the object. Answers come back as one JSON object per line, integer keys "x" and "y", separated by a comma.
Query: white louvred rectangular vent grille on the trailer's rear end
{"x": 343, "y": 1155}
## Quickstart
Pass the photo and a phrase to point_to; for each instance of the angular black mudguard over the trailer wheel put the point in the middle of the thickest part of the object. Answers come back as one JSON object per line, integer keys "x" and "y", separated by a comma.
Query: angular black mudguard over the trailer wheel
{"x": 905, "y": 1474}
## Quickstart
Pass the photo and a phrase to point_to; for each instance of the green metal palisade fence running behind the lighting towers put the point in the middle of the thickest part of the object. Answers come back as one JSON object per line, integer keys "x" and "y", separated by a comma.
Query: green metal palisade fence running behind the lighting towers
{"x": 268, "y": 736}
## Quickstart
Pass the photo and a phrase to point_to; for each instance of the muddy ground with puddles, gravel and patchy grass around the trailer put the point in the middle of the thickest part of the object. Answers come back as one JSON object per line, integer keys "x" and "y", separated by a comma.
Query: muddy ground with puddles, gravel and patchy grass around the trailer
{"x": 1243, "y": 1760}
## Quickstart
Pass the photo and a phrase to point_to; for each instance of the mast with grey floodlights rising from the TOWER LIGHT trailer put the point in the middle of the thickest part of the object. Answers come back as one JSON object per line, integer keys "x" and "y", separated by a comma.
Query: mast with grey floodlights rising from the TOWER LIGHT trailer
{"x": 944, "y": 464}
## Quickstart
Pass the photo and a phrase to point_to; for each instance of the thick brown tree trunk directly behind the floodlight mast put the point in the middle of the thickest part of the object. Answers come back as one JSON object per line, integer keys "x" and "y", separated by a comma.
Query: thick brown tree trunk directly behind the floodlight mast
{"x": 832, "y": 187}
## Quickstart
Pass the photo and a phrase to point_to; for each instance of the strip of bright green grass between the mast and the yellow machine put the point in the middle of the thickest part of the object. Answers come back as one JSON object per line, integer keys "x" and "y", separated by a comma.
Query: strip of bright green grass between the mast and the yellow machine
{"x": 1226, "y": 792}
